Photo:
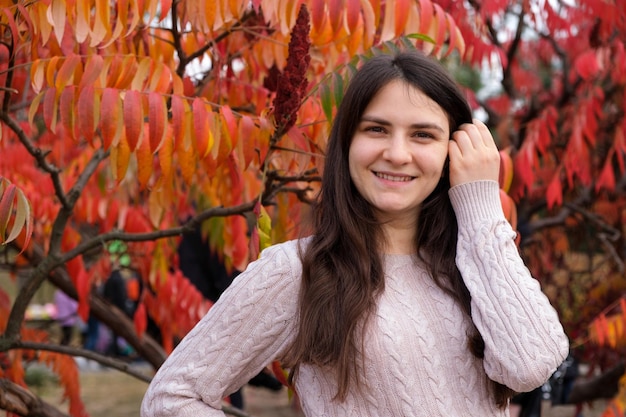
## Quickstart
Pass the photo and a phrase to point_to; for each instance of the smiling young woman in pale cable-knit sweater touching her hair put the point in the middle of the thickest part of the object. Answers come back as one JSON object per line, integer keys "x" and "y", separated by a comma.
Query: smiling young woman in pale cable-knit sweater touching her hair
{"x": 410, "y": 297}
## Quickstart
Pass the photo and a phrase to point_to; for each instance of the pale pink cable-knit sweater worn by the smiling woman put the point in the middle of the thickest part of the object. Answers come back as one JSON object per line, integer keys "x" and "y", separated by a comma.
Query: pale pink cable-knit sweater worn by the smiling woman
{"x": 416, "y": 358}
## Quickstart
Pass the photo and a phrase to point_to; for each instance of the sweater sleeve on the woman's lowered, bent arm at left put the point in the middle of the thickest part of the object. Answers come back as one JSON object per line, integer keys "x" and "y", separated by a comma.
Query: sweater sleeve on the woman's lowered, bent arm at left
{"x": 250, "y": 326}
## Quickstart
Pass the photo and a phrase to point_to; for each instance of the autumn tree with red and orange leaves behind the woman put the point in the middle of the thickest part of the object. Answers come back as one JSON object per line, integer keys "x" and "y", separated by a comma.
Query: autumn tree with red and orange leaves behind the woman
{"x": 138, "y": 121}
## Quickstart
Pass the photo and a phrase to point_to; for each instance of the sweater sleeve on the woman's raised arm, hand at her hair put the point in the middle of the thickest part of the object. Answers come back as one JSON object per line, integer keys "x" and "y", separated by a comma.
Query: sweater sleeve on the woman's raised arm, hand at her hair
{"x": 524, "y": 339}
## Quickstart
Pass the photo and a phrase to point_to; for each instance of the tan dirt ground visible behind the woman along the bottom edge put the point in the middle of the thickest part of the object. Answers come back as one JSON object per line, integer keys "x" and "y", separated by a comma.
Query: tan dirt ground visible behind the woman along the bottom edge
{"x": 108, "y": 393}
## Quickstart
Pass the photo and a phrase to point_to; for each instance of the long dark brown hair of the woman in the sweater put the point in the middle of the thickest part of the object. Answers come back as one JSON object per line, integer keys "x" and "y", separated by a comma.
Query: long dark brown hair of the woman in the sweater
{"x": 342, "y": 270}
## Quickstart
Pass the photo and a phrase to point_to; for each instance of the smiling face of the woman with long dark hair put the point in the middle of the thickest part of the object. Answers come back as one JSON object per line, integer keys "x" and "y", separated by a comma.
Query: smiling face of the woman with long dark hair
{"x": 398, "y": 151}
